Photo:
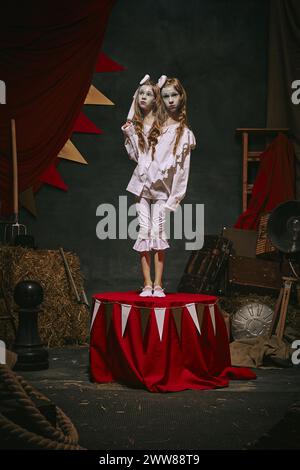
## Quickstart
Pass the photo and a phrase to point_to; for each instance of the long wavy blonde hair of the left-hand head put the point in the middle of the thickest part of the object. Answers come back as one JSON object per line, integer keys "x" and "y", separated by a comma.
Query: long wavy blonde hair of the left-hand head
{"x": 138, "y": 119}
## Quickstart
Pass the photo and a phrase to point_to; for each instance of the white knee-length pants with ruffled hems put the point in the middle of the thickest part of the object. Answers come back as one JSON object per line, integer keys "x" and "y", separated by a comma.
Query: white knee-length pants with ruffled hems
{"x": 152, "y": 219}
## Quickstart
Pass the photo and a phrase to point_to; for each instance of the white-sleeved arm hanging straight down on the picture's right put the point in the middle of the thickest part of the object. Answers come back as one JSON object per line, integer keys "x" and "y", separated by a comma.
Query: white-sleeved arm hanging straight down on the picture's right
{"x": 181, "y": 175}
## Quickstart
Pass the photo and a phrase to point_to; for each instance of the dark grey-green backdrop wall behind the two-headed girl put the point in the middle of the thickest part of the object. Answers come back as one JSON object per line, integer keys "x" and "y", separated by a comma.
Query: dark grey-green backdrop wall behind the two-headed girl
{"x": 218, "y": 49}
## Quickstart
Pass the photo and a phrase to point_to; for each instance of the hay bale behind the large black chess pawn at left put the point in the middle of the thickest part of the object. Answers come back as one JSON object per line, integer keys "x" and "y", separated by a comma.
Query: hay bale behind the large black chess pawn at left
{"x": 62, "y": 320}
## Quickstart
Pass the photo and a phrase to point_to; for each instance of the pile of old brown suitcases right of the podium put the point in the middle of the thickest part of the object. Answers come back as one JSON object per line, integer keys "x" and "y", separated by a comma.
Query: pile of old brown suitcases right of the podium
{"x": 229, "y": 263}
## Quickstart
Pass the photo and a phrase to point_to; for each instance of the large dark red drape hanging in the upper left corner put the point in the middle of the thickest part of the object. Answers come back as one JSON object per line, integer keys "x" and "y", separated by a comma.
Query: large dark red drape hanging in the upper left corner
{"x": 47, "y": 58}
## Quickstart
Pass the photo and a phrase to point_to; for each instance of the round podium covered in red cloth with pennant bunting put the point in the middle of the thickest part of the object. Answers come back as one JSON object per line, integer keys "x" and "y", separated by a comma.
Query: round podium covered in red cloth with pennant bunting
{"x": 162, "y": 344}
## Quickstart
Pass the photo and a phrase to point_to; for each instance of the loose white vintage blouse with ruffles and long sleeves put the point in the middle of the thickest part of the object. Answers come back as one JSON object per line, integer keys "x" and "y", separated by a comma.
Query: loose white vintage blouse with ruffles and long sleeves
{"x": 166, "y": 176}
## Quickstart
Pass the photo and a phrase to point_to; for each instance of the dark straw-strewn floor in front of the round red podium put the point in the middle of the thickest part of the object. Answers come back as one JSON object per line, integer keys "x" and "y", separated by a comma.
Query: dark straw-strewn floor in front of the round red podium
{"x": 112, "y": 416}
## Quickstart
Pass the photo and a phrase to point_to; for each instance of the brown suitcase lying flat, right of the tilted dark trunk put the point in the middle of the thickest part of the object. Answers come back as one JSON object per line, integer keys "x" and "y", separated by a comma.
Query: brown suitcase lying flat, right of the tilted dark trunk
{"x": 256, "y": 275}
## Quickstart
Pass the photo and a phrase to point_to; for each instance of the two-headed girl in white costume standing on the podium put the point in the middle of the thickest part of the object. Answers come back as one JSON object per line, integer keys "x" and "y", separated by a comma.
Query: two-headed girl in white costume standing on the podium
{"x": 163, "y": 160}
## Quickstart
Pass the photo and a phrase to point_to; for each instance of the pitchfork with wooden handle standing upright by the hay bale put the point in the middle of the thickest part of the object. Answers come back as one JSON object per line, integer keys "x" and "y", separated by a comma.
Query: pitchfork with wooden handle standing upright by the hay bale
{"x": 14, "y": 228}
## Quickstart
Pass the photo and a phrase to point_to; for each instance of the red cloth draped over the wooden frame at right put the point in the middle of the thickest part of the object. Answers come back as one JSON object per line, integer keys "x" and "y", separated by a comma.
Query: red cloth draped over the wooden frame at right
{"x": 274, "y": 183}
